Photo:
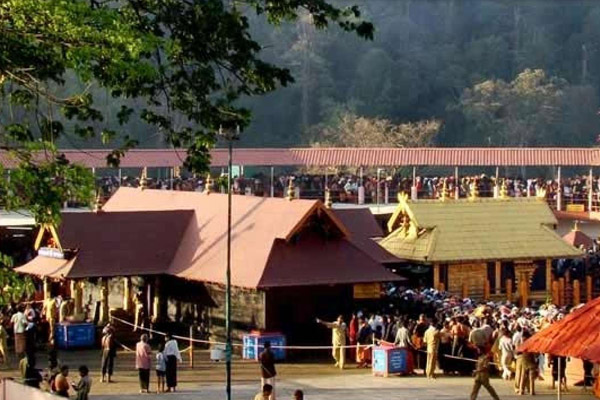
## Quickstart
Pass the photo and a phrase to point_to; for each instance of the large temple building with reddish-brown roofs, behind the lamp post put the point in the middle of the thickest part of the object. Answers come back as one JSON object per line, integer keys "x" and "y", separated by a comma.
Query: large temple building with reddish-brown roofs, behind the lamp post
{"x": 291, "y": 261}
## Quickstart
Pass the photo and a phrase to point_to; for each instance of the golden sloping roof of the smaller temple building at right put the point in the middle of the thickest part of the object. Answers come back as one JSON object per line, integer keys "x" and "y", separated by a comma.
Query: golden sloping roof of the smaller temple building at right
{"x": 484, "y": 229}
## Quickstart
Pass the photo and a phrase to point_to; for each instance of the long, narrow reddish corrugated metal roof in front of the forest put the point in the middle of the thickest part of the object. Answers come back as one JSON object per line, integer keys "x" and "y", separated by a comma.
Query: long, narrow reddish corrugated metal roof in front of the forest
{"x": 367, "y": 157}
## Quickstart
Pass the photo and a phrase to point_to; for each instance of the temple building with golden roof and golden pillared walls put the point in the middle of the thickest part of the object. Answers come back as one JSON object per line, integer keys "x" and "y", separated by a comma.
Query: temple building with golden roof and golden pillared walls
{"x": 491, "y": 248}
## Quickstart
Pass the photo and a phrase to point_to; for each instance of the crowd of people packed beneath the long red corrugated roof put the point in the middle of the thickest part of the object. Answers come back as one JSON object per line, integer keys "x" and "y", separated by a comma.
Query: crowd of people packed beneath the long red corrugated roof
{"x": 344, "y": 188}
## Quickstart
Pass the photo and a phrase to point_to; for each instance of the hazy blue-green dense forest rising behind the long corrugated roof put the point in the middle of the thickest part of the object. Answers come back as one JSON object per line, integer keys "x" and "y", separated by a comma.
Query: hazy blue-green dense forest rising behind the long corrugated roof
{"x": 486, "y": 72}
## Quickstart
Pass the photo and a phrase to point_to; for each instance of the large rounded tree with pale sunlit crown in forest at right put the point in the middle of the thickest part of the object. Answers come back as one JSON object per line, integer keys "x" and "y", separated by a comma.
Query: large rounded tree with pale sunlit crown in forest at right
{"x": 528, "y": 111}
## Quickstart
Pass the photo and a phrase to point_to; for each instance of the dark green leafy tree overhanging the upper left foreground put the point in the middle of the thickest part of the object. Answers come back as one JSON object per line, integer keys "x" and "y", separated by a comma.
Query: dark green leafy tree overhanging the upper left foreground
{"x": 188, "y": 62}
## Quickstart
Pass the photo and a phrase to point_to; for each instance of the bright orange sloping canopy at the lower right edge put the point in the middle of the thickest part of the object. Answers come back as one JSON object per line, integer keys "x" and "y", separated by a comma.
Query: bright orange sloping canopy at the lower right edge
{"x": 577, "y": 335}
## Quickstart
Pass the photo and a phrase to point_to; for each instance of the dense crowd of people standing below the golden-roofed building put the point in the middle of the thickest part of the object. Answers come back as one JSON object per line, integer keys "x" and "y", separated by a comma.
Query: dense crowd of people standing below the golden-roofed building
{"x": 456, "y": 336}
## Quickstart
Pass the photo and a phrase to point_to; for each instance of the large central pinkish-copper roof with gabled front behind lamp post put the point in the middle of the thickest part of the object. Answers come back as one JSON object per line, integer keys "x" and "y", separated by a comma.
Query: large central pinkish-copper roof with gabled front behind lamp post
{"x": 257, "y": 225}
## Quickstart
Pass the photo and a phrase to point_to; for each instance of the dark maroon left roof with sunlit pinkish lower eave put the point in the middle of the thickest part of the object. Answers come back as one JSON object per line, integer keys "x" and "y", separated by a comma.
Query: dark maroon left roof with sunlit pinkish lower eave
{"x": 115, "y": 244}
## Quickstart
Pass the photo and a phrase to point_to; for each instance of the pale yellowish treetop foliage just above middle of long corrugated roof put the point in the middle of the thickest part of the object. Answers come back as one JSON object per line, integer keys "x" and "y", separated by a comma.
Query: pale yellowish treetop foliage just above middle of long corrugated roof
{"x": 350, "y": 130}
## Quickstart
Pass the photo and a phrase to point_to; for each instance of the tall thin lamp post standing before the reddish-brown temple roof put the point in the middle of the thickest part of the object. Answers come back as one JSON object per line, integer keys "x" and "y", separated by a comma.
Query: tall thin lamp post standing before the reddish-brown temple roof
{"x": 230, "y": 136}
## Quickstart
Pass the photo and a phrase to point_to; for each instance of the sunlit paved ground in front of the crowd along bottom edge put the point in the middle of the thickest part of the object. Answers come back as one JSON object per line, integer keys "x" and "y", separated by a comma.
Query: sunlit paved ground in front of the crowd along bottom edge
{"x": 319, "y": 380}
